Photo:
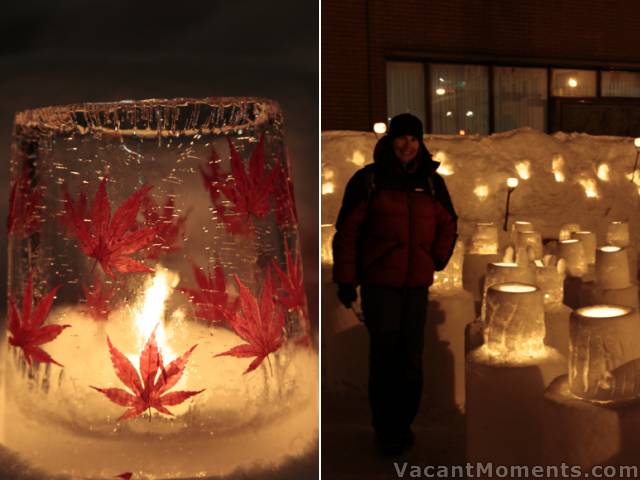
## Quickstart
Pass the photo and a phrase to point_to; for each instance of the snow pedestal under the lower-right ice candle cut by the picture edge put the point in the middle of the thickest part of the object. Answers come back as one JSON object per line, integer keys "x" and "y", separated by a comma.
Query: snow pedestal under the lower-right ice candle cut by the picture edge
{"x": 579, "y": 432}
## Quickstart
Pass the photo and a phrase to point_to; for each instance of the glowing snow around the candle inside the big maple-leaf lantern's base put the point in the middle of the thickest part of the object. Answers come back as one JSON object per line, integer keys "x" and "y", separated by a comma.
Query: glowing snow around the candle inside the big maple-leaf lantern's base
{"x": 253, "y": 422}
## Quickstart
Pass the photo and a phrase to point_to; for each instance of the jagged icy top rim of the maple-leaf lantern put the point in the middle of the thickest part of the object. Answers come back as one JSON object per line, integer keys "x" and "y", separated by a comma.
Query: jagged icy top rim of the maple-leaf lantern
{"x": 151, "y": 117}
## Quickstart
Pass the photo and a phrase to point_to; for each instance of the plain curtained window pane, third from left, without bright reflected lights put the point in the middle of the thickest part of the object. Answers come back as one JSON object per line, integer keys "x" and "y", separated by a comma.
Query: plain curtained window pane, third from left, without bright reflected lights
{"x": 520, "y": 98}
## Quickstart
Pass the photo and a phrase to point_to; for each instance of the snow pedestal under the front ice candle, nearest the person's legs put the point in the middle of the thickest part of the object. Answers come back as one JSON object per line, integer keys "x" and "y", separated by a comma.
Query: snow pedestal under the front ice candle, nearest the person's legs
{"x": 504, "y": 406}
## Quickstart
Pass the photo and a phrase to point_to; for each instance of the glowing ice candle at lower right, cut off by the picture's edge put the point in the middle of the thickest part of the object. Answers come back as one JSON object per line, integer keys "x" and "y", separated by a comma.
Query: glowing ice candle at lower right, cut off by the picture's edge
{"x": 603, "y": 340}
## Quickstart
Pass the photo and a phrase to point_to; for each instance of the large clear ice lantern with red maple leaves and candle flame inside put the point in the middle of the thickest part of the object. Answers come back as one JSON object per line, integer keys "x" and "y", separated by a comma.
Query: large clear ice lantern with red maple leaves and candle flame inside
{"x": 157, "y": 323}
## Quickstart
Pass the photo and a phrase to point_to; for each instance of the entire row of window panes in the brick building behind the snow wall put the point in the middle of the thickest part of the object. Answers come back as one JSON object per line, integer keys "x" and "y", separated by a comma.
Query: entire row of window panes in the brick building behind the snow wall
{"x": 454, "y": 98}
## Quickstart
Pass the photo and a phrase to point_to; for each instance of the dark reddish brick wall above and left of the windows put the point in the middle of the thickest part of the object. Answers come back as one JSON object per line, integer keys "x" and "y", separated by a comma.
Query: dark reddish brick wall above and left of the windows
{"x": 359, "y": 35}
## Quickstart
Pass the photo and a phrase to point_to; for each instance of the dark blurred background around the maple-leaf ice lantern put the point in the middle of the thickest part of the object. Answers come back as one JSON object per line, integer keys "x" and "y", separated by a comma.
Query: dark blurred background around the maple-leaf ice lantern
{"x": 83, "y": 51}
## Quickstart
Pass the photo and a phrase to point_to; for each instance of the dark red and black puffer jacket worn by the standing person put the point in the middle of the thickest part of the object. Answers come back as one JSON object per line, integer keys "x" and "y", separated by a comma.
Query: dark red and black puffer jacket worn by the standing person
{"x": 396, "y": 225}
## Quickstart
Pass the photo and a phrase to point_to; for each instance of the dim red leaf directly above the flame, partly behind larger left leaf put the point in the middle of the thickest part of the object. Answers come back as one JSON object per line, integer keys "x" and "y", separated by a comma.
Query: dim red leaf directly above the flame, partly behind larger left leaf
{"x": 169, "y": 227}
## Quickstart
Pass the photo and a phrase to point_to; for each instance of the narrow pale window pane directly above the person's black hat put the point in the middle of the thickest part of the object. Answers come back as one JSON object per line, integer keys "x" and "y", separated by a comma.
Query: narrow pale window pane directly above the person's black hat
{"x": 405, "y": 89}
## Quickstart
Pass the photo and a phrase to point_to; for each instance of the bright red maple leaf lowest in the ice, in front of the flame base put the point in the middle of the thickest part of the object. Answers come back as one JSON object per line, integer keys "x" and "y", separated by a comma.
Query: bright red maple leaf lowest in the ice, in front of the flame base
{"x": 148, "y": 389}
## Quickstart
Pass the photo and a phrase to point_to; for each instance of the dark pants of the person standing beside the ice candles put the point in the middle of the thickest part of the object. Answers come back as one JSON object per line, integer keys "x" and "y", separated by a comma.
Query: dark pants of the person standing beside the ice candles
{"x": 395, "y": 318}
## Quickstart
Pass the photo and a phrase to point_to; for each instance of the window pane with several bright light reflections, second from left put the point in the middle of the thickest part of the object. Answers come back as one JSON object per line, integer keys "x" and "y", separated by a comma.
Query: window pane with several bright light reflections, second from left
{"x": 459, "y": 98}
